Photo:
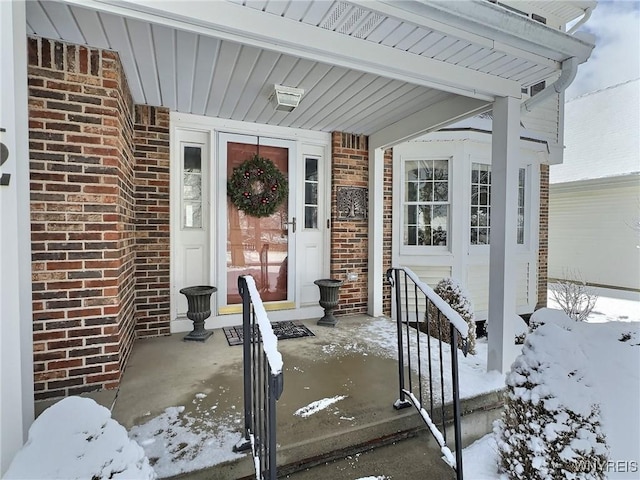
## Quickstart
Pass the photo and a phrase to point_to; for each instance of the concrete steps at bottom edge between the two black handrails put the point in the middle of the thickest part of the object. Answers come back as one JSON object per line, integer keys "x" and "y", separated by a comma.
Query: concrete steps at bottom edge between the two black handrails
{"x": 397, "y": 446}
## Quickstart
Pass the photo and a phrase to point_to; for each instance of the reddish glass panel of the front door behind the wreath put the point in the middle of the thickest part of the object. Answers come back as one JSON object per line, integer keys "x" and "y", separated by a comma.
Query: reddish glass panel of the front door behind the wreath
{"x": 257, "y": 246}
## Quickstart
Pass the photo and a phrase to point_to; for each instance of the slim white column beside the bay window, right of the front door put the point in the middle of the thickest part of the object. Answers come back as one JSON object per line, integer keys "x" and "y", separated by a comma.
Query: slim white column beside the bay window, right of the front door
{"x": 376, "y": 219}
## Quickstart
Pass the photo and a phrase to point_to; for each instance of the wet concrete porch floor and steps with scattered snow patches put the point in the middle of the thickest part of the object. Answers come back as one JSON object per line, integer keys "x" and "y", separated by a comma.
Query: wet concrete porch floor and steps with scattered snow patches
{"x": 206, "y": 378}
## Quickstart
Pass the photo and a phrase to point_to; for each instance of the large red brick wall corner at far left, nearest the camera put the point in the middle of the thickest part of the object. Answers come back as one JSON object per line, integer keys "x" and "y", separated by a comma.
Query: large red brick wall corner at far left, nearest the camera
{"x": 83, "y": 214}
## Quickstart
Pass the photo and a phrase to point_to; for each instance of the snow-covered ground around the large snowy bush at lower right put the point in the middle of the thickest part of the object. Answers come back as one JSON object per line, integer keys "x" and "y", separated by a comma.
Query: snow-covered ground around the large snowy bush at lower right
{"x": 611, "y": 351}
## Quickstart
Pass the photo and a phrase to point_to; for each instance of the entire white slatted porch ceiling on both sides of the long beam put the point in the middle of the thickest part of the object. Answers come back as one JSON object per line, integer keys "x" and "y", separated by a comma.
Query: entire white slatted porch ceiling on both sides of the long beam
{"x": 197, "y": 73}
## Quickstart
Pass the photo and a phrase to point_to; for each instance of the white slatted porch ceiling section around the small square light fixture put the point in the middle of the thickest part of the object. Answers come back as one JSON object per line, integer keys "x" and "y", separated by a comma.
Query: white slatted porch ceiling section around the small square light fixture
{"x": 193, "y": 73}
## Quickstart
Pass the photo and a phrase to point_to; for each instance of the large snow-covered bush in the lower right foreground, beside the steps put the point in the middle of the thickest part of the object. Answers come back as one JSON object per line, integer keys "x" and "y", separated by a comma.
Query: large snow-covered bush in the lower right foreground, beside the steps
{"x": 550, "y": 427}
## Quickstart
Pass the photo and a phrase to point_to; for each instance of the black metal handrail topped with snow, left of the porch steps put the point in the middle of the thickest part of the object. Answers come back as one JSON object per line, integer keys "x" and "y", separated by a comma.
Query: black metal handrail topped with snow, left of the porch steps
{"x": 263, "y": 381}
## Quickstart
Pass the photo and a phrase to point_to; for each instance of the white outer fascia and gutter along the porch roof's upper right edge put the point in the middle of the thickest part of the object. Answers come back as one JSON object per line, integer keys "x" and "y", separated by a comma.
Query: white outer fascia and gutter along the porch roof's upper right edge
{"x": 497, "y": 25}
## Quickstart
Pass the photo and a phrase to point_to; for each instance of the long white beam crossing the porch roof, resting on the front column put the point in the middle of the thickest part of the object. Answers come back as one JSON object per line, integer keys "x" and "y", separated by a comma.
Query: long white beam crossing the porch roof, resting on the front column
{"x": 236, "y": 23}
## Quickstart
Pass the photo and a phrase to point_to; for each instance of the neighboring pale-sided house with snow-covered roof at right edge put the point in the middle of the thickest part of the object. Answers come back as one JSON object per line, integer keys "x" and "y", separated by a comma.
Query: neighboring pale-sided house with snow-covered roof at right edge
{"x": 594, "y": 200}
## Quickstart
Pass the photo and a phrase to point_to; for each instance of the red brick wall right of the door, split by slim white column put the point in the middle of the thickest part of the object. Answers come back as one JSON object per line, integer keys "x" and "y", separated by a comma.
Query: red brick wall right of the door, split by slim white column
{"x": 349, "y": 238}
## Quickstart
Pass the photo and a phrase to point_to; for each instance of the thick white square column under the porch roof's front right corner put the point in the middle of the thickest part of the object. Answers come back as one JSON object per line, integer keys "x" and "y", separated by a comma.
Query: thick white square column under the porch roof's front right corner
{"x": 504, "y": 201}
